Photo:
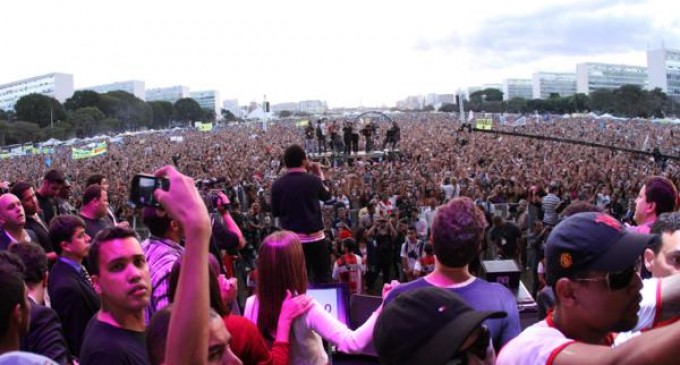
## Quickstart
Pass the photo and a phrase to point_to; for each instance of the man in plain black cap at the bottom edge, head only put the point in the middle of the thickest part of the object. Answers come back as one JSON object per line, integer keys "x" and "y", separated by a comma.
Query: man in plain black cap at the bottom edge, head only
{"x": 433, "y": 326}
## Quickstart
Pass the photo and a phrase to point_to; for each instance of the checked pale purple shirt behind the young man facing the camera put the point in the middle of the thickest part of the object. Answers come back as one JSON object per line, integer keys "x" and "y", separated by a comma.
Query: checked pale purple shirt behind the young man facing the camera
{"x": 161, "y": 254}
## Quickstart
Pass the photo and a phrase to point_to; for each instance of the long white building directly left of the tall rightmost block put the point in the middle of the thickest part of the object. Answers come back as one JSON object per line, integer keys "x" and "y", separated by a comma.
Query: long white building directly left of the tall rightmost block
{"x": 593, "y": 76}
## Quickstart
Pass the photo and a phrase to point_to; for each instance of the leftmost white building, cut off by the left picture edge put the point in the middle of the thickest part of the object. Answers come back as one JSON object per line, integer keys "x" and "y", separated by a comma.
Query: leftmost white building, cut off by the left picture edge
{"x": 56, "y": 85}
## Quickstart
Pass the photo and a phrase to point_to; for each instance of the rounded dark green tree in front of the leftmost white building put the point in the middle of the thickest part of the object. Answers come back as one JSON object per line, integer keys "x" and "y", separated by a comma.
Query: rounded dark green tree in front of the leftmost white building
{"x": 39, "y": 109}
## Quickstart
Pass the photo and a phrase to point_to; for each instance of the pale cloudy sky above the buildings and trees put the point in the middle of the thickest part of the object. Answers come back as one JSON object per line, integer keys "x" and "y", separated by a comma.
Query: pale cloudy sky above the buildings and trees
{"x": 348, "y": 53}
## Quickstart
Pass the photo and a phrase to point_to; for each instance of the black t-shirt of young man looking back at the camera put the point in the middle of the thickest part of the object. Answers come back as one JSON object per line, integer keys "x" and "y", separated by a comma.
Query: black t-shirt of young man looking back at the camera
{"x": 105, "y": 344}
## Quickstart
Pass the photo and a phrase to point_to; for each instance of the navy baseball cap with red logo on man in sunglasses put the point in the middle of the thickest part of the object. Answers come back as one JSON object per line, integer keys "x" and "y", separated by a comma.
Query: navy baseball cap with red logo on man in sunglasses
{"x": 591, "y": 241}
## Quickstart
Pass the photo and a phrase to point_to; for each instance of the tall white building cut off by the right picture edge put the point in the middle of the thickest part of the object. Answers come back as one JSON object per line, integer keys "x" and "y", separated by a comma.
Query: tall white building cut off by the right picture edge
{"x": 664, "y": 70}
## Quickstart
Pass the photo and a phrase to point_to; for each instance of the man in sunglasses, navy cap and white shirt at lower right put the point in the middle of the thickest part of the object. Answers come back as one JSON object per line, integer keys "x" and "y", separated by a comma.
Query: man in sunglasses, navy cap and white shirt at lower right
{"x": 591, "y": 263}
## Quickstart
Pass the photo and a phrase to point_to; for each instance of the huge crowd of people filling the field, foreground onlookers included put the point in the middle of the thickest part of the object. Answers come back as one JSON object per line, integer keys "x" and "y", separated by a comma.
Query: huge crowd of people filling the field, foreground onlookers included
{"x": 265, "y": 213}
